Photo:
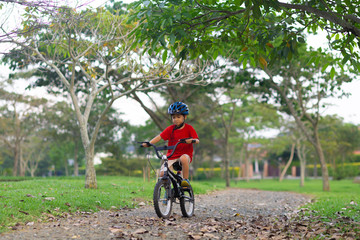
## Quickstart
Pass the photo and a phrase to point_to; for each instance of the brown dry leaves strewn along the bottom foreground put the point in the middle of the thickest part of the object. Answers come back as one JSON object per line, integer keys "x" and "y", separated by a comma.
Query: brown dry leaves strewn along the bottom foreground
{"x": 296, "y": 227}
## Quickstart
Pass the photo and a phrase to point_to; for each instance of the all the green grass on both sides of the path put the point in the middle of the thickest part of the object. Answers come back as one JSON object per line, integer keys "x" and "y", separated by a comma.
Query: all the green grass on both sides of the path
{"x": 24, "y": 200}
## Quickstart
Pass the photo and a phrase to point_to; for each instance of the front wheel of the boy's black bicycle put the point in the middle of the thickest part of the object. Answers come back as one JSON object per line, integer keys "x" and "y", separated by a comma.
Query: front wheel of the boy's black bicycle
{"x": 162, "y": 199}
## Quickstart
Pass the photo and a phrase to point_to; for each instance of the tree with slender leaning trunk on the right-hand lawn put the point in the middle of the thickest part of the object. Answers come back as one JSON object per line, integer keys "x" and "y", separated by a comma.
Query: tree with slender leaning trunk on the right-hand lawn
{"x": 300, "y": 88}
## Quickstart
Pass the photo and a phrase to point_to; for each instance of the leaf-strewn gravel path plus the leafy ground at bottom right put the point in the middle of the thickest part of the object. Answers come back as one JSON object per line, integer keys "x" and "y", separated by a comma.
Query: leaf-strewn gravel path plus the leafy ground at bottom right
{"x": 220, "y": 217}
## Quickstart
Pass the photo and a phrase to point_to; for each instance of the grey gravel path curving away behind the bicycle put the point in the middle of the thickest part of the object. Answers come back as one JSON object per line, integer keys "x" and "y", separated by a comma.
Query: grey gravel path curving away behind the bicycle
{"x": 227, "y": 214}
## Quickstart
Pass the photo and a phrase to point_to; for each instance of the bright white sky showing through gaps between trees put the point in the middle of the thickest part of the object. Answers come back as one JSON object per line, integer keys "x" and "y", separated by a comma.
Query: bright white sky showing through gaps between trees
{"x": 345, "y": 108}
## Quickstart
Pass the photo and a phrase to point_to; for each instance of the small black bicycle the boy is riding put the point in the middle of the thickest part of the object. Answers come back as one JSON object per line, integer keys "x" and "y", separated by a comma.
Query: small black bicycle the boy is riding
{"x": 168, "y": 187}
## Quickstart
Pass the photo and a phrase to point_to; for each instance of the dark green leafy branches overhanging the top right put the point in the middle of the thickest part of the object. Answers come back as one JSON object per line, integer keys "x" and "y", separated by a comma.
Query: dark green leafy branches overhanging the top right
{"x": 208, "y": 27}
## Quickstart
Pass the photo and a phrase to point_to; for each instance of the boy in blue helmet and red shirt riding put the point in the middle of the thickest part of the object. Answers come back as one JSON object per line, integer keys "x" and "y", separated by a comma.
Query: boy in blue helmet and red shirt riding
{"x": 180, "y": 130}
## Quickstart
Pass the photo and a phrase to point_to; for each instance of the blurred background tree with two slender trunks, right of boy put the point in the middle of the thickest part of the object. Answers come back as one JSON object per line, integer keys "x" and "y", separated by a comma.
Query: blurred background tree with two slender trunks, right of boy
{"x": 238, "y": 116}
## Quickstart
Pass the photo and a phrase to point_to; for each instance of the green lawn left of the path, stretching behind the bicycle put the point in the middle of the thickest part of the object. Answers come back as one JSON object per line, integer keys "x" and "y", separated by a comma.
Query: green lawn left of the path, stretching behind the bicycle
{"x": 25, "y": 200}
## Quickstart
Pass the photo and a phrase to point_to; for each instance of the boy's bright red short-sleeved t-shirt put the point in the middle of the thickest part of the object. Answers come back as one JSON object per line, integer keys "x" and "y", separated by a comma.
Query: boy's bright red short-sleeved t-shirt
{"x": 173, "y": 136}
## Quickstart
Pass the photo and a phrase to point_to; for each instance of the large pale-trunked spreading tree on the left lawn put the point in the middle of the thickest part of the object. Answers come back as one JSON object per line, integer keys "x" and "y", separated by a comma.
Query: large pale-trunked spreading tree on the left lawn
{"x": 93, "y": 58}
